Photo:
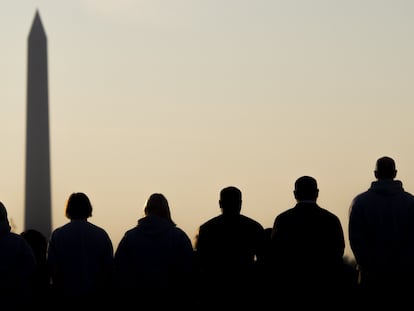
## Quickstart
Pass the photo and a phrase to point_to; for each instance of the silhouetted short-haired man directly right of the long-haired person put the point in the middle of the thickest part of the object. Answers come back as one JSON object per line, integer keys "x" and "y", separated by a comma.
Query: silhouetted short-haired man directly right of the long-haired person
{"x": 229, "y": 248}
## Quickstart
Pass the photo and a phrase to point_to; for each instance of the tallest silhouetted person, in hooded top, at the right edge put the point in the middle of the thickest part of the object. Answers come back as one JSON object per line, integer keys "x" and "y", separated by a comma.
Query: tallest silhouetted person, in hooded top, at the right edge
{"x": 381, "y": 235}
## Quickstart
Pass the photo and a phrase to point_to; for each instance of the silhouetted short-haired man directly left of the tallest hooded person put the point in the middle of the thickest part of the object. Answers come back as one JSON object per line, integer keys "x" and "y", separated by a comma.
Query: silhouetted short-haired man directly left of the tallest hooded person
{"x": 308, "y": 247}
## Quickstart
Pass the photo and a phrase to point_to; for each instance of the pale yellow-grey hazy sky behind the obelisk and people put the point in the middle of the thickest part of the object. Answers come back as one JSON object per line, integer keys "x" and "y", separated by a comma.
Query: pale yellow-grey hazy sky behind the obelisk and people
{"x": 185, "y": 97}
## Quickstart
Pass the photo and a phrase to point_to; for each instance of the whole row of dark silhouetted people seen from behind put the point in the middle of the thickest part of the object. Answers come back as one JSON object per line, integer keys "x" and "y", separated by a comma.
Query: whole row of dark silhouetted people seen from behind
{"x": 232, "y": 262}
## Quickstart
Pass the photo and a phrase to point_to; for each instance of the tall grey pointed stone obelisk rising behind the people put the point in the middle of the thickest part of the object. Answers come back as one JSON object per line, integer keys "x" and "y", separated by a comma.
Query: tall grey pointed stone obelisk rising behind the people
{"x": 38, "y": 210}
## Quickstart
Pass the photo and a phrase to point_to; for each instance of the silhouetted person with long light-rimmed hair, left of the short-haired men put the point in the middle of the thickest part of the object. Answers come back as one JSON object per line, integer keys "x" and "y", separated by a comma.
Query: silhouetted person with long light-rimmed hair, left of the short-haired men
{"x": 153, "y": 263}
